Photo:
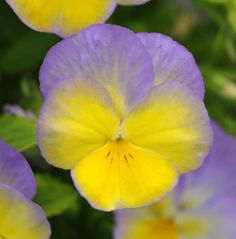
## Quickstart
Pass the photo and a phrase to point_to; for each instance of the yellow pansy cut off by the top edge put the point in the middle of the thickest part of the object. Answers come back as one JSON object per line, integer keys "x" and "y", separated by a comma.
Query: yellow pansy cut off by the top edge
{"x": 68, "y": 17}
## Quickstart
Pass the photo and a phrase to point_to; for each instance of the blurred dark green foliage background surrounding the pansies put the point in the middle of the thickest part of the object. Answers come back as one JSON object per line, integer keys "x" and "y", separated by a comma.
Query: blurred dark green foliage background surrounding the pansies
{"x": 206, "y": 27}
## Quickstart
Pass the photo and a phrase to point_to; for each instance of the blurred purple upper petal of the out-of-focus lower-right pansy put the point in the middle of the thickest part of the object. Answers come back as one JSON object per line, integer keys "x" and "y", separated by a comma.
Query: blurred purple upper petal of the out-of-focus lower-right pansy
{"x": 214, "y": 176}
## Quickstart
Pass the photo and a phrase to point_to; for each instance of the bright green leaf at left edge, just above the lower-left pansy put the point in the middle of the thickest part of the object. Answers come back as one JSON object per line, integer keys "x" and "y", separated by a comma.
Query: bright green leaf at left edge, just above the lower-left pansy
{"x": 17, "y": 131}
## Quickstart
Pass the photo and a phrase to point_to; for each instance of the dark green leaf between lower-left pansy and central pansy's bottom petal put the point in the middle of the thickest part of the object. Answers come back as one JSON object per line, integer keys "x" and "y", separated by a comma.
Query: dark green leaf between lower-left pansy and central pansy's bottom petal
{"x": 54, "y": 196}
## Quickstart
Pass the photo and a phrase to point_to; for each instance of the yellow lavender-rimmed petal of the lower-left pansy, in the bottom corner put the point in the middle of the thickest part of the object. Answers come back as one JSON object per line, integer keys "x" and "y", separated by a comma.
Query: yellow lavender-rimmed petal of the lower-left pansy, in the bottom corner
{"x": 21, "y": 218}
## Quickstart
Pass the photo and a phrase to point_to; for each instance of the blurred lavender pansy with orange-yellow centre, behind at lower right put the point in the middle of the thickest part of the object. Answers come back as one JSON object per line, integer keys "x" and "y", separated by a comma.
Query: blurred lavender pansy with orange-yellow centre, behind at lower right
{"x": 201, "y": 206}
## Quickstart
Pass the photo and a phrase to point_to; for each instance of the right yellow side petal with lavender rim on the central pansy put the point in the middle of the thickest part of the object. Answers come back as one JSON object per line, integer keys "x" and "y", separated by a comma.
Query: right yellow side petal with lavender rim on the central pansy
{"x": 172, "y": 122}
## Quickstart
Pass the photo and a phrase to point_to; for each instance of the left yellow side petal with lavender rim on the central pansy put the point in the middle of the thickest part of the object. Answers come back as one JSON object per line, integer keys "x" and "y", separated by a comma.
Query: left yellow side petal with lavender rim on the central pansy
{"x": 77, "y": 118}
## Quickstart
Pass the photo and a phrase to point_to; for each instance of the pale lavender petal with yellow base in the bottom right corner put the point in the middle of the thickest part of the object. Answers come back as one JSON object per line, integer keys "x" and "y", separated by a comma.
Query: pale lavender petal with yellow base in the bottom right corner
{"x": 213, "y": 219}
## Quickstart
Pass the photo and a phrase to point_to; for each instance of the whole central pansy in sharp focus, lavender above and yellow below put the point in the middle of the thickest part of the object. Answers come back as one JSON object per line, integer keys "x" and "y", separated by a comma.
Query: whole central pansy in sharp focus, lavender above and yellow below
{"x": 124, "y": 112}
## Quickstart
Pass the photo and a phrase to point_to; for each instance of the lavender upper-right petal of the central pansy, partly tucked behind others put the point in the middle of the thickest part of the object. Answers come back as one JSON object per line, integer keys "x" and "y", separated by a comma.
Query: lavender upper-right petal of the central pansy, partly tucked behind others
{"x": 173, "y": 62}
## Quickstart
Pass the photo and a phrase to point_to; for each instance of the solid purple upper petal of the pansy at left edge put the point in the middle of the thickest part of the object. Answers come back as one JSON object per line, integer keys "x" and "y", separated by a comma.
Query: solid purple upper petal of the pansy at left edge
{"x": 15, "y": 171}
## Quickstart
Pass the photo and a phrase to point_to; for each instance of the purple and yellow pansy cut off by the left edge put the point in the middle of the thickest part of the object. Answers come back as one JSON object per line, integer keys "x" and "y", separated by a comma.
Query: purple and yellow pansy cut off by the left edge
{"x": 20, "y": 217}
